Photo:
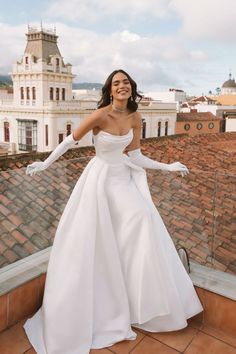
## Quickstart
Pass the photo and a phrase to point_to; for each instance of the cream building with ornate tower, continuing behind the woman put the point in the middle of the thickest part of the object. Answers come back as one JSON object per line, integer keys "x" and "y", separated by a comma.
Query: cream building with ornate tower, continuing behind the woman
{"x": 43, "y": 109}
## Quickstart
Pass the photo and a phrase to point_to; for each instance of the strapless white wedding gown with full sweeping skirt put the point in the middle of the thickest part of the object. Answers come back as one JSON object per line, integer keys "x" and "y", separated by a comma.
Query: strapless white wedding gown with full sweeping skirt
{"x": 112, "y": 264}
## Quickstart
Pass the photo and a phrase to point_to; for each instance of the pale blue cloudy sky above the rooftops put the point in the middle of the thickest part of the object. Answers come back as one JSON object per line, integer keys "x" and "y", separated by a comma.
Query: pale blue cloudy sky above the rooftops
{"x": 185, "y": 44}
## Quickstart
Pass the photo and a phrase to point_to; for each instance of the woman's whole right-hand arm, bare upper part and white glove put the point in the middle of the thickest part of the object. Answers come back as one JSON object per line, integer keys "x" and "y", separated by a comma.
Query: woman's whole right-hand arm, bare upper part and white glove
{"x": 139, "y": 159}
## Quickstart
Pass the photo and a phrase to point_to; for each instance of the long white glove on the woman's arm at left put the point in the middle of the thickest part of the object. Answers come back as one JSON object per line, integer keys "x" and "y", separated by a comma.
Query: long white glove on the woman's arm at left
{"x": 60, "y": 150}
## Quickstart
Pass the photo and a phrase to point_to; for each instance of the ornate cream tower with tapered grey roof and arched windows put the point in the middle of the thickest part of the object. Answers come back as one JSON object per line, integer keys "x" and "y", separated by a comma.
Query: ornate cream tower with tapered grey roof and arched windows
{"x": 41, "y": 75}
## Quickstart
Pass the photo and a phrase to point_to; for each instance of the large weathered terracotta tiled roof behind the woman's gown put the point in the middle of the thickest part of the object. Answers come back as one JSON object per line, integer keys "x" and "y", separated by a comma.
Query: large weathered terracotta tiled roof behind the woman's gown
{"x": 194, "y": 208}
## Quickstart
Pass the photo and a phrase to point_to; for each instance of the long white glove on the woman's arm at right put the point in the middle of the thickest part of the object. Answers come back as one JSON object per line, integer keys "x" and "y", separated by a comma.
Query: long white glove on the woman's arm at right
{"x": 143, "y": 161}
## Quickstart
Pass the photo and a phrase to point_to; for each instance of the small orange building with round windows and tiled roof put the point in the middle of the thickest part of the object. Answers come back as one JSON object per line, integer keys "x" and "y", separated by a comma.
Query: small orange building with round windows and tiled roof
{"x": 194, "y": 123}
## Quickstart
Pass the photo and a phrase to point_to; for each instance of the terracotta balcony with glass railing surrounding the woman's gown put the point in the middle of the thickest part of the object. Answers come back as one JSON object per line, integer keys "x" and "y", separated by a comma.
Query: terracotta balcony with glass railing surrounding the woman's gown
{"x": 199, "y": 212}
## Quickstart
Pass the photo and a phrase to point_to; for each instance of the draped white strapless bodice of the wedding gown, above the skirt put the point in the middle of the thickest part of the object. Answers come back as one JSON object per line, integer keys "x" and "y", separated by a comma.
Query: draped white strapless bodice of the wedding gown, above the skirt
{"x": 110, "y": 147}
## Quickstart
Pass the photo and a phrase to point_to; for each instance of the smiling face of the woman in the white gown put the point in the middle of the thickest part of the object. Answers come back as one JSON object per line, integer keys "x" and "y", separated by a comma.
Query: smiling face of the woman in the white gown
{"x": 120, "y": 87}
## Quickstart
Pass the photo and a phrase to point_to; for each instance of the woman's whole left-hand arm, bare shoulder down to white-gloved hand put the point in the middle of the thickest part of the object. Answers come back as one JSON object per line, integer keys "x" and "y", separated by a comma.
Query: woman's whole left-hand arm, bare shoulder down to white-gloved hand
{"x": 88, "y": 123}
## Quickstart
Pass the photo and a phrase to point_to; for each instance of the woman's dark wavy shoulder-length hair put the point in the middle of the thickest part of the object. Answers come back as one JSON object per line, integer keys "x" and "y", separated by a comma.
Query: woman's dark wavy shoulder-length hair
{"x": 106, "y": 92}
